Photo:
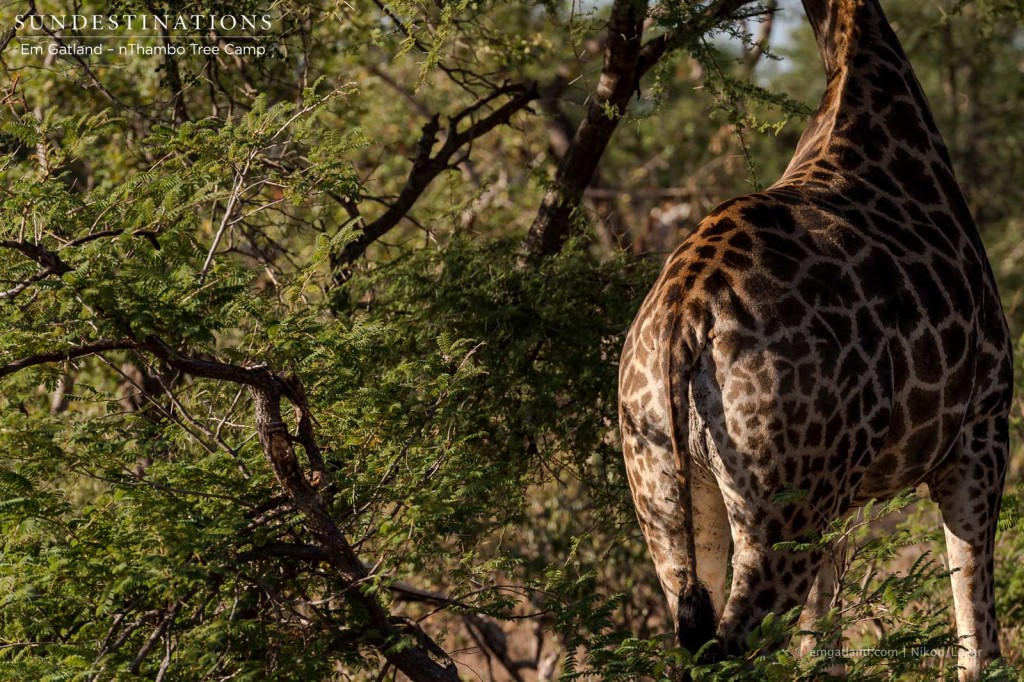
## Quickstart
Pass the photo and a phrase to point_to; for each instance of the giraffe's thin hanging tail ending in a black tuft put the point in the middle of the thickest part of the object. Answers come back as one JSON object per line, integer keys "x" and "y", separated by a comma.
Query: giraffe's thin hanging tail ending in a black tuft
{"x": 696, "y": 618}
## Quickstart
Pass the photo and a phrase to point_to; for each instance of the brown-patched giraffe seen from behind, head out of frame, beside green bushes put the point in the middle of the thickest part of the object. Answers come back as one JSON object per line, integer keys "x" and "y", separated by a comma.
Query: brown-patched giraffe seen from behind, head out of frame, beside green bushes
{"x": 838, "y": 334}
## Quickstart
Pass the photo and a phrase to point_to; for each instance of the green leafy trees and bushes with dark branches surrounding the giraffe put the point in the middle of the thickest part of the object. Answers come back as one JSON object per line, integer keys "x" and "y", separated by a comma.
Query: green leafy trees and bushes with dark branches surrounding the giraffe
{"x": 309, "y": 361}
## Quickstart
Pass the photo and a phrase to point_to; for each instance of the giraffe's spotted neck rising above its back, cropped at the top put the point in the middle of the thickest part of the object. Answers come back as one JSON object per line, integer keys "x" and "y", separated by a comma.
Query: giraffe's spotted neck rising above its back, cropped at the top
{"x": 873, "y": 105}
